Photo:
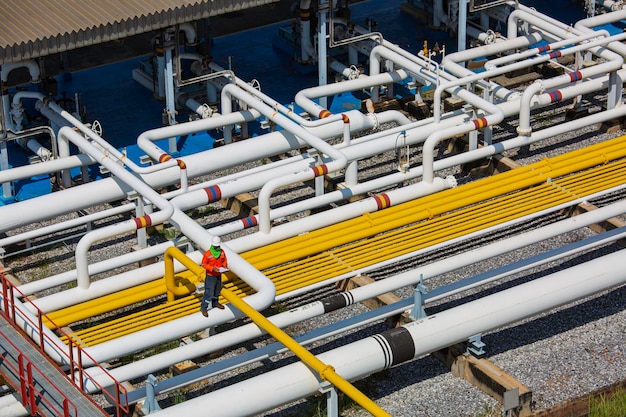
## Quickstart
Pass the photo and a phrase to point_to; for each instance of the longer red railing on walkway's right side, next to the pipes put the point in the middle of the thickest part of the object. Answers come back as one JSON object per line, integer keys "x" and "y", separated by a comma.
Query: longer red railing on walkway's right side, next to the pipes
{"x": 76, "y": 371}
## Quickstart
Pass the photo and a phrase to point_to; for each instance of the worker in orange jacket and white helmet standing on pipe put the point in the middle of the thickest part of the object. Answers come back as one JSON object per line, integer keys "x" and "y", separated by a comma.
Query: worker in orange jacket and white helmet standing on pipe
{"x": 215, "y": 262}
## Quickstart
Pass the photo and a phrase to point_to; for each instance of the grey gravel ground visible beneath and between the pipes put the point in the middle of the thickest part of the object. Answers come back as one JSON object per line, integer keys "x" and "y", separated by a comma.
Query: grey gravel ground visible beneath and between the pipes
{"x": 560, "y": 354}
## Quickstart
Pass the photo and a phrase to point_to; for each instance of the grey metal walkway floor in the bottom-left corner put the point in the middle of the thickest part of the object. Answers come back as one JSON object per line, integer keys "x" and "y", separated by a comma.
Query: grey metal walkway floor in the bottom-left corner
{"x": 51, "y": 391}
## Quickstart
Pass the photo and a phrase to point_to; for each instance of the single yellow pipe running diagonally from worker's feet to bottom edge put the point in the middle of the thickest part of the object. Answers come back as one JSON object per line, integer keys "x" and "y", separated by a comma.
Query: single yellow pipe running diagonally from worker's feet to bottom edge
{"x": 326, "y": 372}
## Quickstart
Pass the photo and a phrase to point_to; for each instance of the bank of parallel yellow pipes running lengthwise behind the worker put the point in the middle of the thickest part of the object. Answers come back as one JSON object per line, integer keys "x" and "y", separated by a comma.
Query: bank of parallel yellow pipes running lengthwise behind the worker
{"x": 391, "y": 232}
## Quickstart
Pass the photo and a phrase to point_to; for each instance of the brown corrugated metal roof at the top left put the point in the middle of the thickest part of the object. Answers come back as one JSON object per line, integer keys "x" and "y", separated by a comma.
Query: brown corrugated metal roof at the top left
{"x": 33, "y": 28}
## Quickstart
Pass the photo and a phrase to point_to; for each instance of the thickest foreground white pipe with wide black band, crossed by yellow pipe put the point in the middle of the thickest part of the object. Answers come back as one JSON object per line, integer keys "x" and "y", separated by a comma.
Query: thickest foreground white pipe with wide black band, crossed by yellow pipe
{"x": 411, "y": 341}
